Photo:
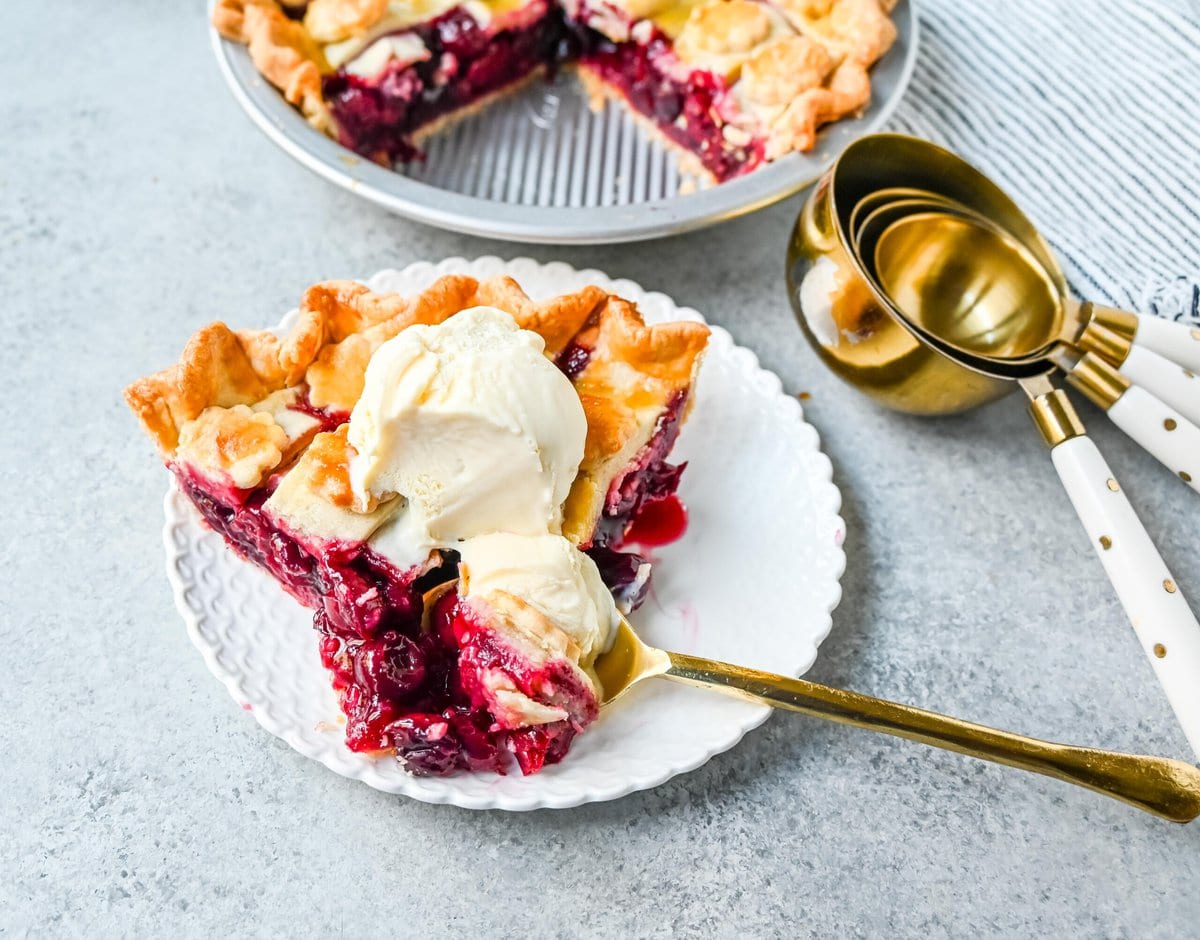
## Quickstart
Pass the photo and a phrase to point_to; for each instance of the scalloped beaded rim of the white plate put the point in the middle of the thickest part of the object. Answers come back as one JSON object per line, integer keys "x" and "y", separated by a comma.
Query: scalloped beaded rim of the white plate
{"x": 827, "y": 500}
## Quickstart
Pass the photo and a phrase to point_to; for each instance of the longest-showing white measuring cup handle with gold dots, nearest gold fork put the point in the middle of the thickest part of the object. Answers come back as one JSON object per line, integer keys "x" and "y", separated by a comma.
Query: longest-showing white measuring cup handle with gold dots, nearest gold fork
{"x": 1166, "y": 626}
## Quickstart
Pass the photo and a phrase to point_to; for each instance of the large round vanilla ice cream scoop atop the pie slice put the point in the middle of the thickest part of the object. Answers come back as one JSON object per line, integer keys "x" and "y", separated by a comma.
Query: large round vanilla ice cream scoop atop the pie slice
{"x": 473, "y": 426}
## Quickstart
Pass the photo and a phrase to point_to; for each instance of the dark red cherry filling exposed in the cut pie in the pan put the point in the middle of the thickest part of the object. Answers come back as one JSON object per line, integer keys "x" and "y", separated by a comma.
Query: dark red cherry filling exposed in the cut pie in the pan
{"x": 377, "y": 117}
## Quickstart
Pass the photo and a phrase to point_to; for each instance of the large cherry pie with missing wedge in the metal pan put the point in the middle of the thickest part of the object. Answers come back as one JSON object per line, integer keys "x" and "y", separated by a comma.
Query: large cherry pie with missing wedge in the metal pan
{"x": 731, "y": 85}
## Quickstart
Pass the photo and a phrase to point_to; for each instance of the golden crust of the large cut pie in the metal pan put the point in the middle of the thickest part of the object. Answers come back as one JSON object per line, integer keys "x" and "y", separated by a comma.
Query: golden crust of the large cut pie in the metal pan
{"x": 784, "y": 89}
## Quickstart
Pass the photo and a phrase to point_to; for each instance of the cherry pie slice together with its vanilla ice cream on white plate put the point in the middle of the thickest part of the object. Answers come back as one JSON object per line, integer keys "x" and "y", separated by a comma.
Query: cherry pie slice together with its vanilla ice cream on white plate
{"x": 453, "y": 482}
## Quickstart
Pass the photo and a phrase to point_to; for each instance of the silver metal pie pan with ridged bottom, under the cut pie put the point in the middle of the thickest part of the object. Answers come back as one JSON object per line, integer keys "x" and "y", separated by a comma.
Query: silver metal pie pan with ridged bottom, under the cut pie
{"x": 541, "y": 166}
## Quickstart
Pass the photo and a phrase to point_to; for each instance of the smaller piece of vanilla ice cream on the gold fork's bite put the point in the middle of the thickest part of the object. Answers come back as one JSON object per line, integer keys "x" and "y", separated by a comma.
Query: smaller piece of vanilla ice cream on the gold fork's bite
{"x": 549, "y": 574}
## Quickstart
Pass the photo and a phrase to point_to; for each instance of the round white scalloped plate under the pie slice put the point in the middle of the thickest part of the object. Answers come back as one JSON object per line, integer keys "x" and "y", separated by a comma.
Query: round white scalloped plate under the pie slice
{"x": 764, "y": 510}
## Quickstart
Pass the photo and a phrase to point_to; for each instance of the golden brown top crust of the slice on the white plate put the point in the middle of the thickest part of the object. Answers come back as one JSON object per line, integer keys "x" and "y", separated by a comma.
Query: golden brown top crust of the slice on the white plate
{"x": 632, "y": 376}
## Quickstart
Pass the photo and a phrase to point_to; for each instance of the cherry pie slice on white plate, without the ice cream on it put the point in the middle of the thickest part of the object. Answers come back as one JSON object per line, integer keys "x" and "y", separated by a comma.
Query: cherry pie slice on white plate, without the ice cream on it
{"x": 254, "y": 428}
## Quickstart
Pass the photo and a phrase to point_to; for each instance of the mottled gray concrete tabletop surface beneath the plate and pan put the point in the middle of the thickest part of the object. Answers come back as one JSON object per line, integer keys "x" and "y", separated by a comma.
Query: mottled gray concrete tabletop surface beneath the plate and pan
{"x": 136, "y": 202}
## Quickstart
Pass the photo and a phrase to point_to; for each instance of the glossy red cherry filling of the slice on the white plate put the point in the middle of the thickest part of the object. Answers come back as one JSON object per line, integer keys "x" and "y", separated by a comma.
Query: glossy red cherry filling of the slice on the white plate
{"x": 418, "y": 693}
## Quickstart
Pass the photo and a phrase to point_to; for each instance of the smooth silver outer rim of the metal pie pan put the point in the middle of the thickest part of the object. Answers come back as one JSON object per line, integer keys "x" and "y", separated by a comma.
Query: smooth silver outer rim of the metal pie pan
{"x": 537, "y": 225}
